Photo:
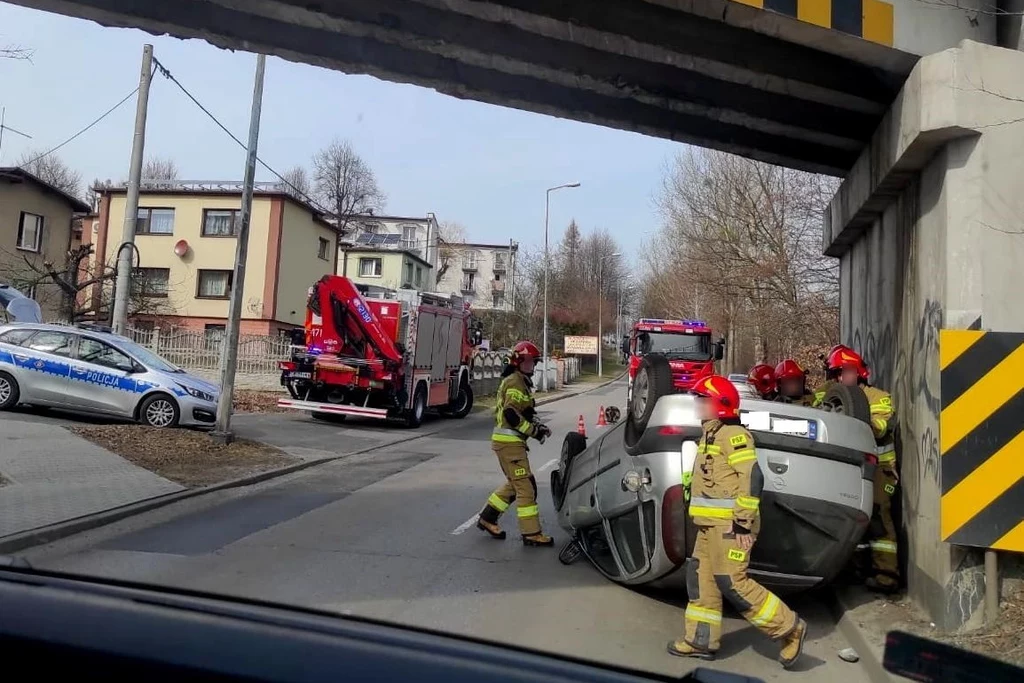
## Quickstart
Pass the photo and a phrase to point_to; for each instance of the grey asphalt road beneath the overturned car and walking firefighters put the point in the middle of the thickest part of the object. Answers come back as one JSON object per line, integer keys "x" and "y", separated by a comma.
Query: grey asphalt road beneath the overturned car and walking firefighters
{"x": 389, "y": 535}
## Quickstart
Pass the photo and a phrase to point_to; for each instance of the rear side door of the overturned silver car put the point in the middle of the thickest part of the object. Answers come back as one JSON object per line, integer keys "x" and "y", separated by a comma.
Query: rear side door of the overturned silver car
{"x": 621, "y": 508}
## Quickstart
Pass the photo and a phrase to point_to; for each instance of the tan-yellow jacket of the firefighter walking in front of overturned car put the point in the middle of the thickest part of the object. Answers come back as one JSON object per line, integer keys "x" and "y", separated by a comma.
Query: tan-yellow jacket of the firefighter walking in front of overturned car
{"x": 728, "y": 483}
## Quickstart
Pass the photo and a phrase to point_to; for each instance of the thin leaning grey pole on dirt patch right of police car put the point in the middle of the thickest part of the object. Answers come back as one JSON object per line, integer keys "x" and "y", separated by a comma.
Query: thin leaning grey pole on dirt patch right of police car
{"x": 230, "y": 354}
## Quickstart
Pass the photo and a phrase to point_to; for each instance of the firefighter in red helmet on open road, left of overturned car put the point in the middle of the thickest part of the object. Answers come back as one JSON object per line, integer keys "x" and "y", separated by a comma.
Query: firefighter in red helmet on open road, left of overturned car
{"x": 516, "y": 422}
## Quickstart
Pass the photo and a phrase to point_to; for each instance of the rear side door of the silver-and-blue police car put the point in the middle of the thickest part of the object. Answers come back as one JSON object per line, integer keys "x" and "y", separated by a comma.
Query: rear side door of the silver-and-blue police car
{"x": 46, "y": 362}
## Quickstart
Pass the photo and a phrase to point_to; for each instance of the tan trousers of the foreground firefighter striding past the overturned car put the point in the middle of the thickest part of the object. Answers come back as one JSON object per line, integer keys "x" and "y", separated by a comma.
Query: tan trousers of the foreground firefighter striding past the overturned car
{"x": 718, "y": 570}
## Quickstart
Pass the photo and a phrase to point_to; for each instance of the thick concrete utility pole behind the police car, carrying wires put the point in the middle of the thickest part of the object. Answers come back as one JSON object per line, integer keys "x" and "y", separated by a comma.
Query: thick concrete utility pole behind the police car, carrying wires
{"x": 122, "y": 289}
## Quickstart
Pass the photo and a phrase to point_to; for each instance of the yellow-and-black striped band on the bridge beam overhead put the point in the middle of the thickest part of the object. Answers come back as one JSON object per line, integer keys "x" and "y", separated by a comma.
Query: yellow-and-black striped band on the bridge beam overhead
{"x": 871, "y": 20}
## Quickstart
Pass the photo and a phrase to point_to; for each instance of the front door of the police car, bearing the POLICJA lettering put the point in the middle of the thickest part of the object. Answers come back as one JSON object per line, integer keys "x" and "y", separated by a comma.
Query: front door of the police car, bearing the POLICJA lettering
{"x": 101, "y": 379}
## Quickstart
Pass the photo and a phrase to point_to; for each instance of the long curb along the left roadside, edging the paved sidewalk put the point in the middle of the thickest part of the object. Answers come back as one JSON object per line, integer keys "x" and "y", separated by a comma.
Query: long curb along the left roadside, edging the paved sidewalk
{"x": 58, "y": 531}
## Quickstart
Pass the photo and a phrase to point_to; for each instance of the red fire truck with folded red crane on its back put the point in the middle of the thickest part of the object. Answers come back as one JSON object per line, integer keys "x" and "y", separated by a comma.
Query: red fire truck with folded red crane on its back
{"x": 395, "y": 356}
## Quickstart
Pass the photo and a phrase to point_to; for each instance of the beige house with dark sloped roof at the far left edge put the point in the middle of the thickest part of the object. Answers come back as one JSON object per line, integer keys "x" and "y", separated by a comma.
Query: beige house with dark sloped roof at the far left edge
{"x": 36, "y": 224}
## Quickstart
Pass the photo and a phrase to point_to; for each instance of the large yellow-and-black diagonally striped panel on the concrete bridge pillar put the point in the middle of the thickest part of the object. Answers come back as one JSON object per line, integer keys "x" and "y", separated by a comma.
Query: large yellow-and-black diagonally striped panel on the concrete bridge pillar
{"x": 982, "y": 439}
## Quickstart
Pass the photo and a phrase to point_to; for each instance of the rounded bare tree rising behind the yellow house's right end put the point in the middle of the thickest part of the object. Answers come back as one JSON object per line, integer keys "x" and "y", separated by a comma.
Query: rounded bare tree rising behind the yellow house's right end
{"x": 346, "y": 184}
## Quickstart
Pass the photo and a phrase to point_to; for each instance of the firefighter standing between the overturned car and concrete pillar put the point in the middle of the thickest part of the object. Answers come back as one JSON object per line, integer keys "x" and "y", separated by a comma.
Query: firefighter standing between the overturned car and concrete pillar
{"x": 847, "y": 367}
